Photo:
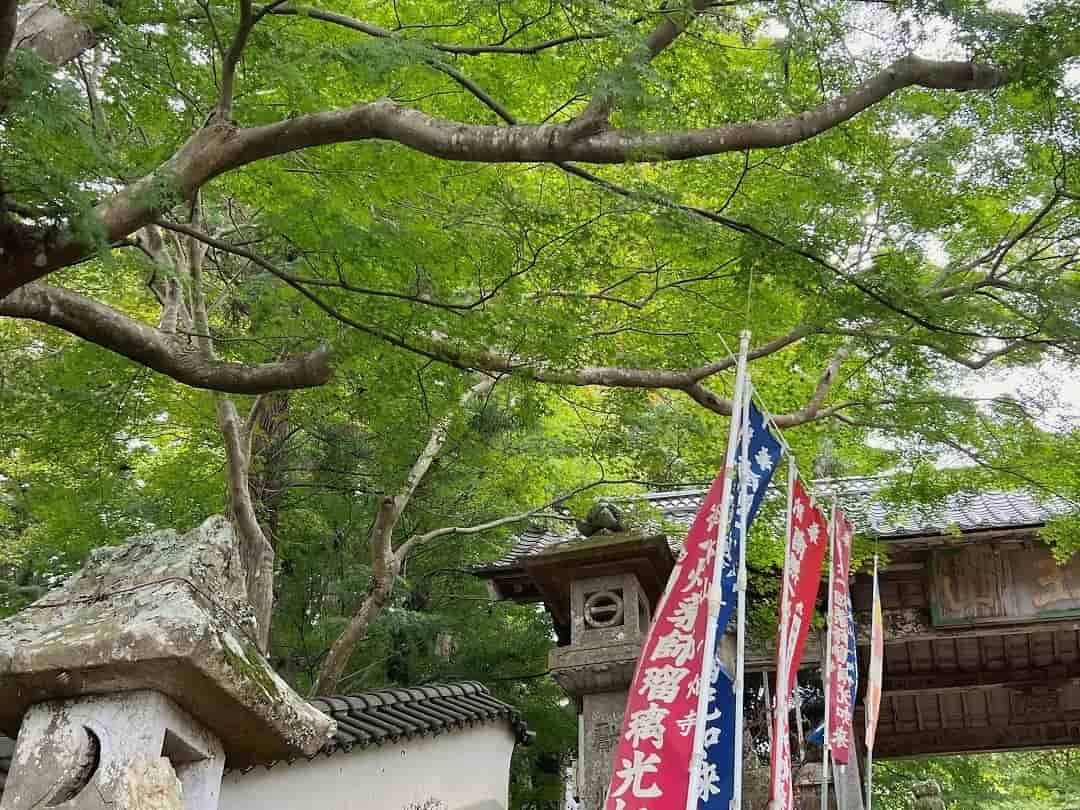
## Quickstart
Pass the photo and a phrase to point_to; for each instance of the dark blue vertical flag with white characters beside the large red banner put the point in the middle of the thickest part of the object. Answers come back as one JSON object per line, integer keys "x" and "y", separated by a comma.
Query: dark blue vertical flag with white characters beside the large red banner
{"x": 714, "y": 781}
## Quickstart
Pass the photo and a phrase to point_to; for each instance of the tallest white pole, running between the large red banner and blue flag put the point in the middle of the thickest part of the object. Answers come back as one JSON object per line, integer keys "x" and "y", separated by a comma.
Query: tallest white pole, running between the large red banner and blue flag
{"x": 715, "y": 587}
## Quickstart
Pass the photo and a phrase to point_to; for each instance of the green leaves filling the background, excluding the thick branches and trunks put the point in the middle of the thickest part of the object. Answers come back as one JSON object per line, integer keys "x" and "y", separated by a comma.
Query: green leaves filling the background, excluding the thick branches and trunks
{"x": 854, "y": 235}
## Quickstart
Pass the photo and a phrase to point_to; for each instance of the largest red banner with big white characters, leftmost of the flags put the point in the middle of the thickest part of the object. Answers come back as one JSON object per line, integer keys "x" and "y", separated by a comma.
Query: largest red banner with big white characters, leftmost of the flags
{"x": 653, "y": 761}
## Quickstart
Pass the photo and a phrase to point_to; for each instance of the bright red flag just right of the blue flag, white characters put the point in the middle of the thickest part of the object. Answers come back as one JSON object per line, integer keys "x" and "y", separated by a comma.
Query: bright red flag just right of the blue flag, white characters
{"x": 807, "y": 538}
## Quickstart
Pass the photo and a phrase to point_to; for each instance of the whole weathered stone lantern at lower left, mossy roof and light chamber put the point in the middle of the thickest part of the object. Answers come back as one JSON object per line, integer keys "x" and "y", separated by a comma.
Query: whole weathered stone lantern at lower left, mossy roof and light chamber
{"x": 132, "y": 685}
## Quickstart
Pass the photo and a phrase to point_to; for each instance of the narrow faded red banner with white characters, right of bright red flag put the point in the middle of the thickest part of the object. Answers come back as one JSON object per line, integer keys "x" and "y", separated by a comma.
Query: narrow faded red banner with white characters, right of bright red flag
{"x": 840, "y": 681}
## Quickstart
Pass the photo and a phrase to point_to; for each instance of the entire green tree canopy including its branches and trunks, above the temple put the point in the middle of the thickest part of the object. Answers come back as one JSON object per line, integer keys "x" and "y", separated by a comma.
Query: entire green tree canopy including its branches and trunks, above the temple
{"x": 387, "y": 280}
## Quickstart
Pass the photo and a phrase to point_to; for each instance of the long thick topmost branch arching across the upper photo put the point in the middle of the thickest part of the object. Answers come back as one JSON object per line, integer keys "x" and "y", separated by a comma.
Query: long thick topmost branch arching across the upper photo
{"x": 221, "y": 147}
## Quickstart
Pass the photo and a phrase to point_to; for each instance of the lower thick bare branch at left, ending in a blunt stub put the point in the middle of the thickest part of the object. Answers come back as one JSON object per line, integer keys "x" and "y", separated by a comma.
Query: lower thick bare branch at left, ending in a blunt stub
{"x": 166, "y": 354}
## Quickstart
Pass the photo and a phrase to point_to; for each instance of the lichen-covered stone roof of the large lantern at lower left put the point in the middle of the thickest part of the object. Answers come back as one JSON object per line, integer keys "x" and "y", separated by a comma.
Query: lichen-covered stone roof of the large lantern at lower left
{"x": 164, "y": 613}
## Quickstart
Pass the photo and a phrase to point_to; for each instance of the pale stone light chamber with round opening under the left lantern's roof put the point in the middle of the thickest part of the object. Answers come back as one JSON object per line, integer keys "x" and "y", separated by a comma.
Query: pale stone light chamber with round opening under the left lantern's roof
{"x": 136, "y": 751}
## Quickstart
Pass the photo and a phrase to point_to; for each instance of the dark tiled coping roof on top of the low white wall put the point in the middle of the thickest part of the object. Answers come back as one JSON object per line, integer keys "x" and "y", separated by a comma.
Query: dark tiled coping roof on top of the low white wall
{"x": 390, "y": 715}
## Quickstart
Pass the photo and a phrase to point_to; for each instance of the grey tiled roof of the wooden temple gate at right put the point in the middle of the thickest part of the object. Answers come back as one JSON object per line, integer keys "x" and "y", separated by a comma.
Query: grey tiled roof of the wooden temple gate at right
{"x": 858, "y": 497}
